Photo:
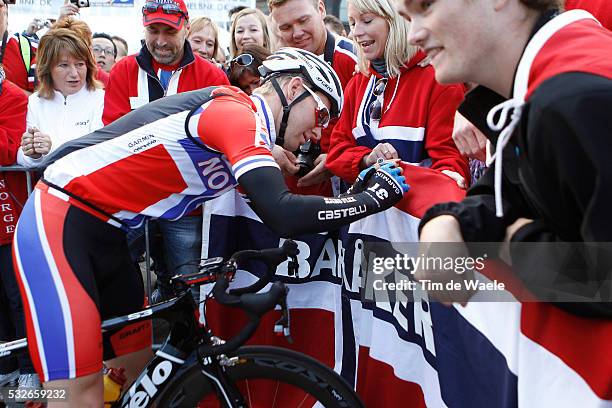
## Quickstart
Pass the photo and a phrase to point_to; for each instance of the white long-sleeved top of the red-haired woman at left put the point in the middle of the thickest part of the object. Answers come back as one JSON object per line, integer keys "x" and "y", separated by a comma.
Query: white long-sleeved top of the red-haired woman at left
{"x": 63, "y": 118}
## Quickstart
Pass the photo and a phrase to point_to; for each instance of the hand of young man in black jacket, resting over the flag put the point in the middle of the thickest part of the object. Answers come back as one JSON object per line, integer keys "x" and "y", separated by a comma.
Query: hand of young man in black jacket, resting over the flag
{"x": 440, "y": 230}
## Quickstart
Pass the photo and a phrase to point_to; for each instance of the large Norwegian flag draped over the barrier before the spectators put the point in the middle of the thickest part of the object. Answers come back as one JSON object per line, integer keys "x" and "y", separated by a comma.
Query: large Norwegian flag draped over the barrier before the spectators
{"x": 419, "y": 352}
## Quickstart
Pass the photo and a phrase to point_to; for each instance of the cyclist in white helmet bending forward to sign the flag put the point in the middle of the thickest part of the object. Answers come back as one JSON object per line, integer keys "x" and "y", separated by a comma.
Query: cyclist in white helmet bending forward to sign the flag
{"x": 163, "y": 160}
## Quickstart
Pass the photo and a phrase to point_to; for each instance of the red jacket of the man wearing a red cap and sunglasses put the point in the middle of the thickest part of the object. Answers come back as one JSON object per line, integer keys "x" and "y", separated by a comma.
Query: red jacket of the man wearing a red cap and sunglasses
{"x": 133, "y": 82}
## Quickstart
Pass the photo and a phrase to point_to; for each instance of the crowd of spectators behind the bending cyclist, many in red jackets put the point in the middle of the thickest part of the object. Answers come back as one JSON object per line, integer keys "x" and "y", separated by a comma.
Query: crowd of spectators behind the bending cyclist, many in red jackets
{"x": 69, "y": 83}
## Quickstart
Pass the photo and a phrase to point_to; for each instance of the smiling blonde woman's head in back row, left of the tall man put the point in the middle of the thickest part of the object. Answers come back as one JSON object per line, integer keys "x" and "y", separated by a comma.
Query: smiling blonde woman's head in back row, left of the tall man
{"x": 249, "y": 27}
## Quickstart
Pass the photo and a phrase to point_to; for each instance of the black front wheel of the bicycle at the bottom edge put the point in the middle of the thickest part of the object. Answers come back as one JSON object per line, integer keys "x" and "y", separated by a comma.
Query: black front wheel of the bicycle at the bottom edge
{"x": 267, "y": 377}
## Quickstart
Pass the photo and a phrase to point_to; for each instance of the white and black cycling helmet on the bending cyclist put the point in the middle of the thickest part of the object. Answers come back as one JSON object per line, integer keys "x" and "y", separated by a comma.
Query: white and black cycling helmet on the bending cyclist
{"x": 318, "y": 72}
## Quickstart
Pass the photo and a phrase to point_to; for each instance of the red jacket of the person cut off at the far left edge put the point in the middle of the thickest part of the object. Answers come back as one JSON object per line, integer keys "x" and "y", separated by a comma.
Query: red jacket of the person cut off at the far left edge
{"x": 13, "y": 191}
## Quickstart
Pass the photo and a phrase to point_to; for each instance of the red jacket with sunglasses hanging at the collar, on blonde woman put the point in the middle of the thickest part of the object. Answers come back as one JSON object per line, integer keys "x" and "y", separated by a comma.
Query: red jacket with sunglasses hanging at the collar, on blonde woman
{"x": 417, "y": 119}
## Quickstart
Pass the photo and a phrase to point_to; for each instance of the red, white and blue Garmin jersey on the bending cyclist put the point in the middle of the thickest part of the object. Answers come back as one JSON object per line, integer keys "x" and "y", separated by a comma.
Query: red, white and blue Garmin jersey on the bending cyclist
{"x": 165, "y": 159}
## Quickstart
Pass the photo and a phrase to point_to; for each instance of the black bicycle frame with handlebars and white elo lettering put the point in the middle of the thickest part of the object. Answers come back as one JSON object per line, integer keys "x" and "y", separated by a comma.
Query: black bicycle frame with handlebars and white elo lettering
{"x": 188, "y": 340}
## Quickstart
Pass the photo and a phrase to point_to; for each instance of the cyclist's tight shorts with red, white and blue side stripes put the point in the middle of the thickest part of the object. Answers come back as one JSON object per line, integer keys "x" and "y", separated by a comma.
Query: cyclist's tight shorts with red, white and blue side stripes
{"x": 74, "y": 270}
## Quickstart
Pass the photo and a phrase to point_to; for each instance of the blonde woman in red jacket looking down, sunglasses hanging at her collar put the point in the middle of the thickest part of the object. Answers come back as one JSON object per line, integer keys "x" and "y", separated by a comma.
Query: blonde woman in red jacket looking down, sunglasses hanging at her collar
{"x": 395, "y": 108}
